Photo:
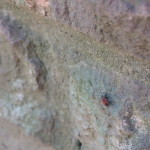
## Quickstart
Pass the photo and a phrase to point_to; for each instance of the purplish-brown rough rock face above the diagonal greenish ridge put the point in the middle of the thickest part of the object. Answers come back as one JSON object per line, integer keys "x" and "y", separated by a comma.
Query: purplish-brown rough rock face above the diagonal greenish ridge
{"x": 125, "y": 23}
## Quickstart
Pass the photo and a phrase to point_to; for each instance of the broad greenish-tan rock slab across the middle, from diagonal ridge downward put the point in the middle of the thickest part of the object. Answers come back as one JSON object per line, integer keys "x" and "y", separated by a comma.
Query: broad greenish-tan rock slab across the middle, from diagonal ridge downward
{"x": 52, "y": 79}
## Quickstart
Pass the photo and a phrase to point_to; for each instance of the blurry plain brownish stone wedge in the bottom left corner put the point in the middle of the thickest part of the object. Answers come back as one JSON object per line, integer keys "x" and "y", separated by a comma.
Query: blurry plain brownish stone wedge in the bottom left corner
{"x": 13, "y": 138}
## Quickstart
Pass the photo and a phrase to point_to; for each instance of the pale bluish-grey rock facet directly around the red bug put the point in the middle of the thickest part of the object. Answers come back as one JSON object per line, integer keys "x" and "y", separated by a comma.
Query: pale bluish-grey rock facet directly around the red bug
{"x": 123, "y": 117}
